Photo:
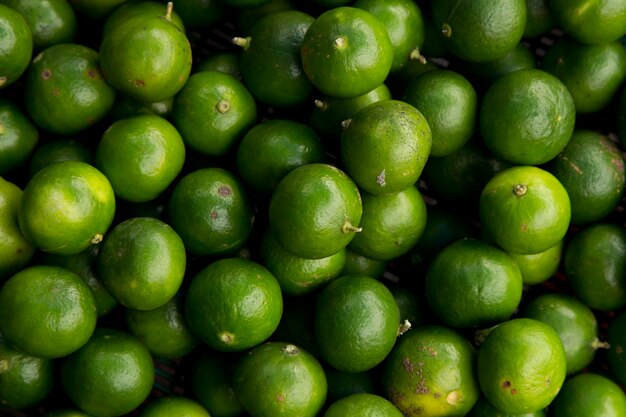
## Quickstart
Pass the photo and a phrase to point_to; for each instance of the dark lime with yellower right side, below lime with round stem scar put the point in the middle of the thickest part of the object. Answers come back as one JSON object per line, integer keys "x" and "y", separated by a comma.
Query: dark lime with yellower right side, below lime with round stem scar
{"x": 471, "y": 283}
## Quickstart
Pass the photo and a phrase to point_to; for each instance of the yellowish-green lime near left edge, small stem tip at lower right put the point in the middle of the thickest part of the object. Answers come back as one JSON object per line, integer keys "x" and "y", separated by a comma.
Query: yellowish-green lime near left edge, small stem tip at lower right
{"x": 67, "y": 207}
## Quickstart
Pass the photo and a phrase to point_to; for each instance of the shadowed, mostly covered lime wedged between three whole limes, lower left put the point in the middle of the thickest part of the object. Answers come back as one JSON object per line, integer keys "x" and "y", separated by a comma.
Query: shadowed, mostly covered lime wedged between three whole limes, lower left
{"x": 164, "y": 330}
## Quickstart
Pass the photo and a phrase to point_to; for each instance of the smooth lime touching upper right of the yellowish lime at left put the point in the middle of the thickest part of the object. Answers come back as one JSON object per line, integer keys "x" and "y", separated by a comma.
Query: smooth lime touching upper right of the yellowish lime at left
{"x": 141, "y": 156}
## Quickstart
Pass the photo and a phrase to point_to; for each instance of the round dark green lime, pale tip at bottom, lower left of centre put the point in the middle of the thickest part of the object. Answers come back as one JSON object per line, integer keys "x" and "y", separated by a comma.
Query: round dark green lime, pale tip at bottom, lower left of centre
{"x": 233, "y": 304}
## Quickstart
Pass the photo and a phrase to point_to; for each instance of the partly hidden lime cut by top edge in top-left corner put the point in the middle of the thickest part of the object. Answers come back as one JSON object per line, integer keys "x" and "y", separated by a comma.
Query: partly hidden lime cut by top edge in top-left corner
{"x": 51, "y": 22}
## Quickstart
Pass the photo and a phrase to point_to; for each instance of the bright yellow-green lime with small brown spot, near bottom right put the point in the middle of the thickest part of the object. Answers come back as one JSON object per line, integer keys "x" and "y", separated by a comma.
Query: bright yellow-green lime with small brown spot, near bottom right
{"x": 521, "y": 365}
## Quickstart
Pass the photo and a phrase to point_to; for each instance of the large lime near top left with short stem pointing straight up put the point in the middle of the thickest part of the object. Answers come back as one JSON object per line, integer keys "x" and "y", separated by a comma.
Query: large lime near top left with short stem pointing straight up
{"x": 154, "y": 63}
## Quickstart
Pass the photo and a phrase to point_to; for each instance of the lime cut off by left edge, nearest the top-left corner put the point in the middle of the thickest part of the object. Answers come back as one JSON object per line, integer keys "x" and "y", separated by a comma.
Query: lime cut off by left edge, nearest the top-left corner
{"x": 16, "y": 46}
